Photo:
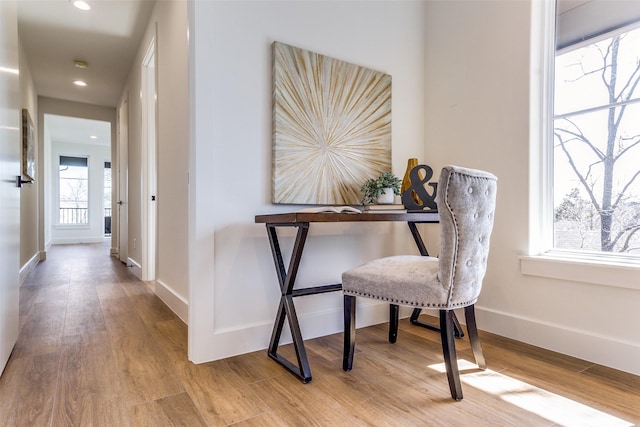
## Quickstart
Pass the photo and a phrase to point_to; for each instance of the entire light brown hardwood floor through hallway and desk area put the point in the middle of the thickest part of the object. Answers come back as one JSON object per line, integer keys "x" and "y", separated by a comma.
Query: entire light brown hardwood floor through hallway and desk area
{"x": 97, "y": 348}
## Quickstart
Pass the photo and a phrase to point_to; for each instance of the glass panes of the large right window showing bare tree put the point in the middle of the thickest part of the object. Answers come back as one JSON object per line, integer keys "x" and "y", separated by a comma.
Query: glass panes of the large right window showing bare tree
{"x": 596, "y": 144}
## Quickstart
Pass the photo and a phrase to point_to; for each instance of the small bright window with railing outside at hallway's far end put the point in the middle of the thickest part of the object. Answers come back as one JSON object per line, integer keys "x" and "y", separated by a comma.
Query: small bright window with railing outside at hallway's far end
{"x": 73, "y": 180}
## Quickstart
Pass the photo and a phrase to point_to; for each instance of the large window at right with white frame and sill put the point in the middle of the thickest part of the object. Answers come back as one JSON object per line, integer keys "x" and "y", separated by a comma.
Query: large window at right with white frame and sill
{"x": 558, "y": 196}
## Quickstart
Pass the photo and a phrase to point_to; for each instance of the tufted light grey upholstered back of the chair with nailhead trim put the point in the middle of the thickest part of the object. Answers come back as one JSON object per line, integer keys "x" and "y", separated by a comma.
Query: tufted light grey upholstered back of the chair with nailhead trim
{"x": 466, "y": 204}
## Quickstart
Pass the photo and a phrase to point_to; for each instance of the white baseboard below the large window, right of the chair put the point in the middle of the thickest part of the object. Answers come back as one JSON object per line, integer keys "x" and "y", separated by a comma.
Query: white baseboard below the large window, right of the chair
{"x": 603, "y": 350}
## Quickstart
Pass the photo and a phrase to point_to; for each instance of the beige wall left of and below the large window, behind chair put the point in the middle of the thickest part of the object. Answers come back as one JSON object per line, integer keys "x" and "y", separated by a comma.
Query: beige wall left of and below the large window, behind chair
{"x": 477, "y": 115}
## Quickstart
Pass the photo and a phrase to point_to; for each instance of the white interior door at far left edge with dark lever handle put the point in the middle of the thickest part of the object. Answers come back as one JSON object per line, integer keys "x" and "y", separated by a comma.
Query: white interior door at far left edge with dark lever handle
{"x": 10, "y": 168}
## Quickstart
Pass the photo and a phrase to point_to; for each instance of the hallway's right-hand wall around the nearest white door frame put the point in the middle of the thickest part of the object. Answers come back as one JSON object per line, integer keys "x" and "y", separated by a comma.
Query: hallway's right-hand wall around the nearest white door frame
{"x": 170, "y": 19}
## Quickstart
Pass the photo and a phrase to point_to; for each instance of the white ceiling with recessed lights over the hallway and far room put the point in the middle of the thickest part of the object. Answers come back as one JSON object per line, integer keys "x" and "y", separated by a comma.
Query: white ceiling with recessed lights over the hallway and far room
{"x": 54, "y": 34}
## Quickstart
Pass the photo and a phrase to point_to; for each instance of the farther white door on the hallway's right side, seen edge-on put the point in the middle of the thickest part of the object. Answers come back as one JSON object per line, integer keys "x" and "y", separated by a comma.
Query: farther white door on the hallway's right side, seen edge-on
{"x": 122, "y": 166}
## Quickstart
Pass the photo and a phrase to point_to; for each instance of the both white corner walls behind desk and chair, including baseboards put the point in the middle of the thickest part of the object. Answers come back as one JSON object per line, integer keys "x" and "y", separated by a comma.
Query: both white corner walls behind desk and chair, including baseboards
{"x": 470, "y": 62}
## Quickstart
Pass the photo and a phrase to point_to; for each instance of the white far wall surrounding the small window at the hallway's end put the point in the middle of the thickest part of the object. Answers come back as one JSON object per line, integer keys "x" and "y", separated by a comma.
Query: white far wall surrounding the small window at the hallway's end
{"x": 93, "y": 232}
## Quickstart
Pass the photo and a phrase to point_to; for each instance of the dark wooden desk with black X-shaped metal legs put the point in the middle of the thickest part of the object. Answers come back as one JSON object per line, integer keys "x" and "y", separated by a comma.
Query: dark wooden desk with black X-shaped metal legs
{"x": 287, "y": 277}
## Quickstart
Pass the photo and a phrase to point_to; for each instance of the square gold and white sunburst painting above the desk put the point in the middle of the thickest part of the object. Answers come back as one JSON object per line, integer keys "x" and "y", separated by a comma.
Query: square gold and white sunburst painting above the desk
{"x": 331, "y": 127}
